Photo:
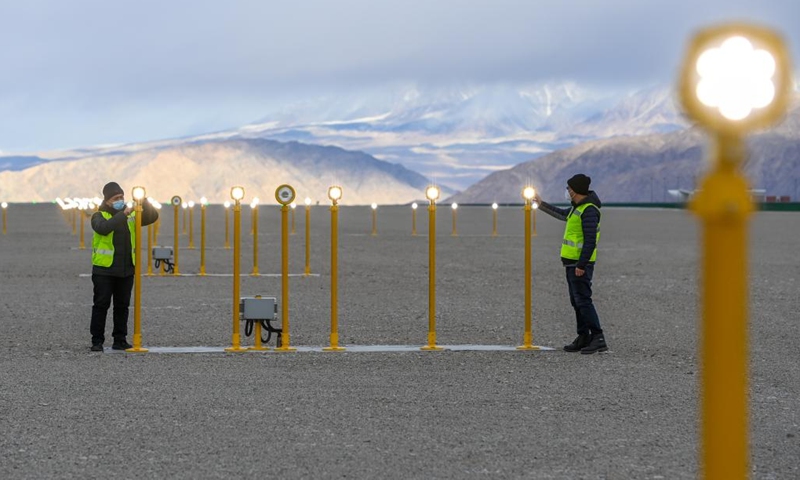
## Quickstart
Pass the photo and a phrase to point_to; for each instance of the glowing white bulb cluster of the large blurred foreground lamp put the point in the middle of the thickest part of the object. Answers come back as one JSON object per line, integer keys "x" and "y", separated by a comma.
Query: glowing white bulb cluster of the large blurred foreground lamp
{"x": 735, "y": 78}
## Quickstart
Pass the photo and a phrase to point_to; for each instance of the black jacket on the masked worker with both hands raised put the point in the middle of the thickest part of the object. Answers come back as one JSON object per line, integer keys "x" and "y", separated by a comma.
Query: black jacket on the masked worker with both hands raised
{"x": 122, "y": 265}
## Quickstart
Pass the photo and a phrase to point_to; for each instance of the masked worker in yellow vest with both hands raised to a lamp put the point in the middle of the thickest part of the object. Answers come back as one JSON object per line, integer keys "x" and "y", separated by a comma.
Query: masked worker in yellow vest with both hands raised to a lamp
{"x": 113, "y": 263}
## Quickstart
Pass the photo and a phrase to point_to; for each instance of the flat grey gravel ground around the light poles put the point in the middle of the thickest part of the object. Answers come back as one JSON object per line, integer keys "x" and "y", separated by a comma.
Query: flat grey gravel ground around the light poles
{"x": 630, "y": 413}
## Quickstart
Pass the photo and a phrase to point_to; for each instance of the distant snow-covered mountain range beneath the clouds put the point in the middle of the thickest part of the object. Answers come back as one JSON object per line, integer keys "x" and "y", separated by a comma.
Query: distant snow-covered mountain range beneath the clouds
{"x": 459, "y": 135}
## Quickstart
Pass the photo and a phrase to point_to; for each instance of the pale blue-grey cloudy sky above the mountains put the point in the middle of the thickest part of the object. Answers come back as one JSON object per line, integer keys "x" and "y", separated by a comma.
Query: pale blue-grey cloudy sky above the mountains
{"x": 85, "y": 72}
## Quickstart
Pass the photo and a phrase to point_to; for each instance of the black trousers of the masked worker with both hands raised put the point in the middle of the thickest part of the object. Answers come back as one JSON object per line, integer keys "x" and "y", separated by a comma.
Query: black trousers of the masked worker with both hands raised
{"x": 107, "y": 288}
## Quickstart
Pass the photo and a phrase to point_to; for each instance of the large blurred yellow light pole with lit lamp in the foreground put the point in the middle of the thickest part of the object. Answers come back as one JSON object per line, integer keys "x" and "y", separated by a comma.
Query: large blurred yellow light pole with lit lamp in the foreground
{"x": 735, "y": 79}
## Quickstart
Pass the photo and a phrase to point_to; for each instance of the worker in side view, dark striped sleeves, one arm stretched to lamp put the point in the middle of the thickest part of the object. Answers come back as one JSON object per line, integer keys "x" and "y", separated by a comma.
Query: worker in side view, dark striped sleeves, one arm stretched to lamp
{"x": 578, "y": 254}
